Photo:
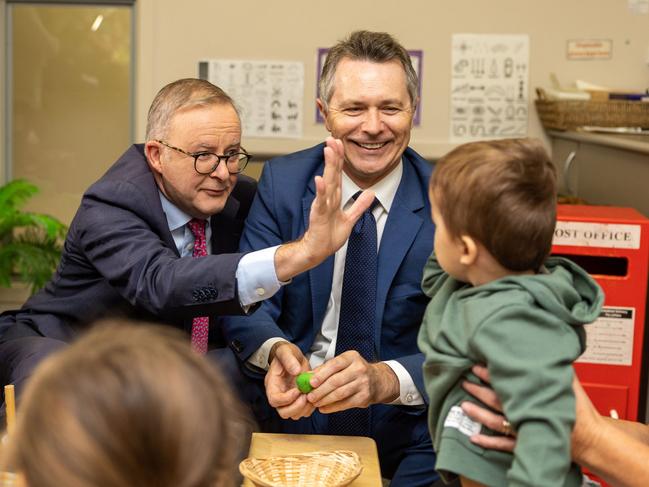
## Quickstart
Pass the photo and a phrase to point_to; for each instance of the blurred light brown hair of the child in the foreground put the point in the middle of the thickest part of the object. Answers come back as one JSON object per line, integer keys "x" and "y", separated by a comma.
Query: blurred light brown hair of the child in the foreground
{"x": 128, "y": 405}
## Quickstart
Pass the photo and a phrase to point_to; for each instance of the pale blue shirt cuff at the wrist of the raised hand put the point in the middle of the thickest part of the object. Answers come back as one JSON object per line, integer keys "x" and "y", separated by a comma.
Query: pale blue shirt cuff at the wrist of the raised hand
{"x": 256, "y": 276}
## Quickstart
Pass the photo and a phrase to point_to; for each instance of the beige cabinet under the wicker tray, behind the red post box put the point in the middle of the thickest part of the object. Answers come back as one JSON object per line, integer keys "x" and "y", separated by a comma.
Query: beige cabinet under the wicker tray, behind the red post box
{"x": 603, "y": 169}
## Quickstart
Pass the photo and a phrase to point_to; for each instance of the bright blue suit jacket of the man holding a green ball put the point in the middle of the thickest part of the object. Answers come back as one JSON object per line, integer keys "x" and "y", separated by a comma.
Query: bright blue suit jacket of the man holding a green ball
{"x": 280, "y": 213}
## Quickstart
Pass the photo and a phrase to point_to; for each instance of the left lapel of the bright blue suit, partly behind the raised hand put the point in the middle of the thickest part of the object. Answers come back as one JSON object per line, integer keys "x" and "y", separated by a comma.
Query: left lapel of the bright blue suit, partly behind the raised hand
{"x": 320, "y": 277}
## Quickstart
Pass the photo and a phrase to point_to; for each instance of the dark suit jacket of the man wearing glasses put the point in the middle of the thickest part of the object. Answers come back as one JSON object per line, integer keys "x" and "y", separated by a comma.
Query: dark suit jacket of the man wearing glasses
{"x": 120, "y": 259}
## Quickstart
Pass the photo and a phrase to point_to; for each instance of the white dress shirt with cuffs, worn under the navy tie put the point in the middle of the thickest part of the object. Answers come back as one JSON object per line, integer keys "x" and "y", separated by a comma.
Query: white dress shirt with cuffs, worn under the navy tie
{"x": 324, "y": 345}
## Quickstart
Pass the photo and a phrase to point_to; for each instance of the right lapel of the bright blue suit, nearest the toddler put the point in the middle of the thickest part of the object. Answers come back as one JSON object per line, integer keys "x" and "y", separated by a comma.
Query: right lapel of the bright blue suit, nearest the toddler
{"x": 400, "y": 231}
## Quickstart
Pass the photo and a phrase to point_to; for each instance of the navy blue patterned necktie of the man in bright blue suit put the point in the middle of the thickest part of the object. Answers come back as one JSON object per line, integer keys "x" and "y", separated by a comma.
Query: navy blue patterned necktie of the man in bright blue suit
{"x": 356, "y": 325}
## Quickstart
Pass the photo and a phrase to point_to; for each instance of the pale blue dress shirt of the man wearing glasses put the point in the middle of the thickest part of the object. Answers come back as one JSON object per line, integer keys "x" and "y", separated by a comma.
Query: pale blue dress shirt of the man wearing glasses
{"x": 256, "y": 276}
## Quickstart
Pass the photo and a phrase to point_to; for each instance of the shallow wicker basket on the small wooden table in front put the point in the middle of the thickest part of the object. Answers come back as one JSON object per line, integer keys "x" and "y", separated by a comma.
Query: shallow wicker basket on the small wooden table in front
{"x": 316, "y": 469}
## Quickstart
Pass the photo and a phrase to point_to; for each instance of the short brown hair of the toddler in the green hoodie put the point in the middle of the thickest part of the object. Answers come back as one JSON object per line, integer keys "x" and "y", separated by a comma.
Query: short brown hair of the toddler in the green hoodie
{"x": 501, "y": 194}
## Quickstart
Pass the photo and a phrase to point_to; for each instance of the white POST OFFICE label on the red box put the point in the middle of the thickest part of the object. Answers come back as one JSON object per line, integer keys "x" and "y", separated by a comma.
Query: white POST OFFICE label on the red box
{"x": 605, "y": 235}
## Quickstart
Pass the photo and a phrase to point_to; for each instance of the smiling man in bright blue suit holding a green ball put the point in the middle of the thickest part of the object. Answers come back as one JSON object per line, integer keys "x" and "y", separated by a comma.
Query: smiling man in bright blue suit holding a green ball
{"x": 354, "y": 319}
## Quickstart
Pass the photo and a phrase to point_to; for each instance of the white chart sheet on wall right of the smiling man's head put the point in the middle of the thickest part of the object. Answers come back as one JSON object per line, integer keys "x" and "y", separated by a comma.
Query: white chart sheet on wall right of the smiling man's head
{"x": 489, "y": 86}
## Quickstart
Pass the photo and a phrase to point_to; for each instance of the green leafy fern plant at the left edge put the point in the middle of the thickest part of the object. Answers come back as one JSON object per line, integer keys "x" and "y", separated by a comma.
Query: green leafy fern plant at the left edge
{"x": 30, "y": 243}
